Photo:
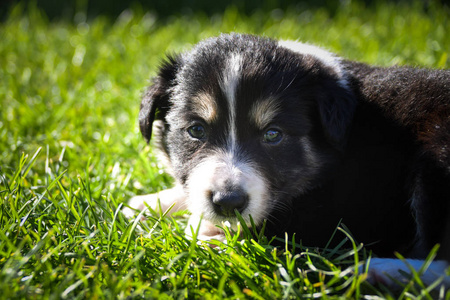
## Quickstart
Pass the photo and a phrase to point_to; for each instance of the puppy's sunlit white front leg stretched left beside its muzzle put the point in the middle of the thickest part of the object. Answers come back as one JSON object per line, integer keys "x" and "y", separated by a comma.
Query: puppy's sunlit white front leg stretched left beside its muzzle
{"x": 174, "y": 196}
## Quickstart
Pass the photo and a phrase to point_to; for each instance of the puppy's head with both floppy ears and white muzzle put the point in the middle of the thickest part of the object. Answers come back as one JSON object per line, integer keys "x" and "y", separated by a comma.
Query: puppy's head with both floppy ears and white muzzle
{"x": 247, "y": 123}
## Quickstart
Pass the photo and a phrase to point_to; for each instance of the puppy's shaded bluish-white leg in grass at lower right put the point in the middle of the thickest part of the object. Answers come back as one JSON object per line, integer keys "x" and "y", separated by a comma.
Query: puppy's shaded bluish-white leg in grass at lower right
{"x": 387, "y": 271}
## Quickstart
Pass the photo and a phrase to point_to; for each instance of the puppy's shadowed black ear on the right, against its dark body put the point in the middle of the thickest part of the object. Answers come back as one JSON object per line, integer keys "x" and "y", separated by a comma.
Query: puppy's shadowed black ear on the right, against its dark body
{"x": 336, "y": 107}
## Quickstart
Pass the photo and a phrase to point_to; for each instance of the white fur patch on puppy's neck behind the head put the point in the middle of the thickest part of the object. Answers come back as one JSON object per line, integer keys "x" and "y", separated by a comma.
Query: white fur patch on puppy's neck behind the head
{"x": 327, "y": 58}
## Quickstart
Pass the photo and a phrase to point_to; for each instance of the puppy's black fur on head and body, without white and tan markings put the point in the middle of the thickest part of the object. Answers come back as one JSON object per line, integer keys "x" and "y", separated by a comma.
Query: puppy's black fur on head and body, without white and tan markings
{"x": 383, "y": 141}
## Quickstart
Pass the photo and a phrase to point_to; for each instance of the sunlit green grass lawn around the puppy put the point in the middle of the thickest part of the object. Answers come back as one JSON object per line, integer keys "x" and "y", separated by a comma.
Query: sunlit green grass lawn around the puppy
{"x": 71, "y": 155}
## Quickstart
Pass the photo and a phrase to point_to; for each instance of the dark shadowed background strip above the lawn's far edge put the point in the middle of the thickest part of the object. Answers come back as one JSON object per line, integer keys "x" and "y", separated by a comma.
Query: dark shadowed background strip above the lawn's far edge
{"x": 62, "y": 9}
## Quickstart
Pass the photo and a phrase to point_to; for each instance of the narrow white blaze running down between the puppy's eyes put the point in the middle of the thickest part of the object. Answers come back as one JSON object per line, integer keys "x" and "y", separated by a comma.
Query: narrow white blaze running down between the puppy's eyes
{"x": 230, "y": 80}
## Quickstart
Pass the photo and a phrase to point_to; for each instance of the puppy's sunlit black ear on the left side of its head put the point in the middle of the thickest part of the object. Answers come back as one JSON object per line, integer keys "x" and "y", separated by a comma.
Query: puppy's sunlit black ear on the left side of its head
{"x": 155, "y": 103}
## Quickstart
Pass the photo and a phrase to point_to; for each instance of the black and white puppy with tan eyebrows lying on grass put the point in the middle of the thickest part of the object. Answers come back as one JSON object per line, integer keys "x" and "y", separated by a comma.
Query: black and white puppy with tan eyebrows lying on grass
{"x": 292, "y": 134}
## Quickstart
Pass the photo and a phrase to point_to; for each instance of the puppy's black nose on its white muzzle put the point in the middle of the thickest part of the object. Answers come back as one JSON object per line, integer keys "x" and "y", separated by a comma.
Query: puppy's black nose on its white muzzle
{"x": 225, "y": 203}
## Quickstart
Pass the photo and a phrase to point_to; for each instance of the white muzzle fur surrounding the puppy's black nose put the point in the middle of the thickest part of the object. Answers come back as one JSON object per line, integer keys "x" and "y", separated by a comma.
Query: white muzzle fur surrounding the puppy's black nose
{"x": 224, "y": 169}
